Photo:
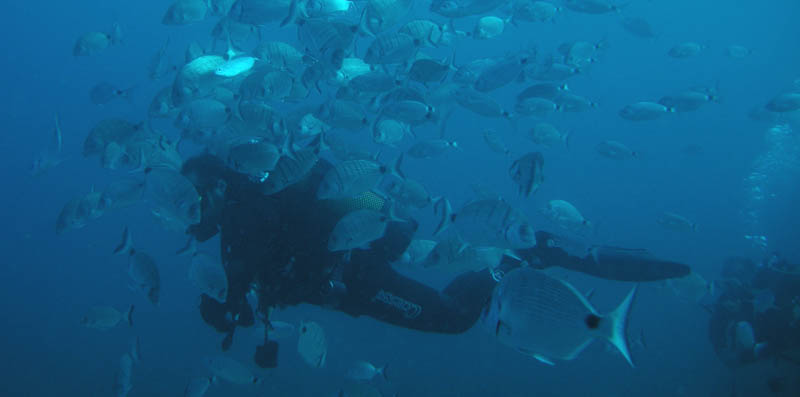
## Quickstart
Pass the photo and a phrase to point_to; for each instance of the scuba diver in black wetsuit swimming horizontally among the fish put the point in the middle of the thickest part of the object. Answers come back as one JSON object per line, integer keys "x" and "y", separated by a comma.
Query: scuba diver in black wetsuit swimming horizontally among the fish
{"x": 275, "y": 246}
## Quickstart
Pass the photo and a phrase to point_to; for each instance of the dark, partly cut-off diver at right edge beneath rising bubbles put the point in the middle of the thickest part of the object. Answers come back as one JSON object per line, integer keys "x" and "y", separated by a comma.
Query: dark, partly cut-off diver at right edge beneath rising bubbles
{"x": 757, "y": 314}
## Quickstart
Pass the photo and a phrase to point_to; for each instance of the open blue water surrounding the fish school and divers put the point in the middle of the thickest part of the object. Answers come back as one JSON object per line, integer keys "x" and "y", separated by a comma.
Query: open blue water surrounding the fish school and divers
{"x": 49, "y": 281}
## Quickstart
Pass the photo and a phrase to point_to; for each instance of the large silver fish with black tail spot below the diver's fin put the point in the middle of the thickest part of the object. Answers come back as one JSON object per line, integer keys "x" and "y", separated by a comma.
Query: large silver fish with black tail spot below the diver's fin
{"x": 549, "y": 319}
